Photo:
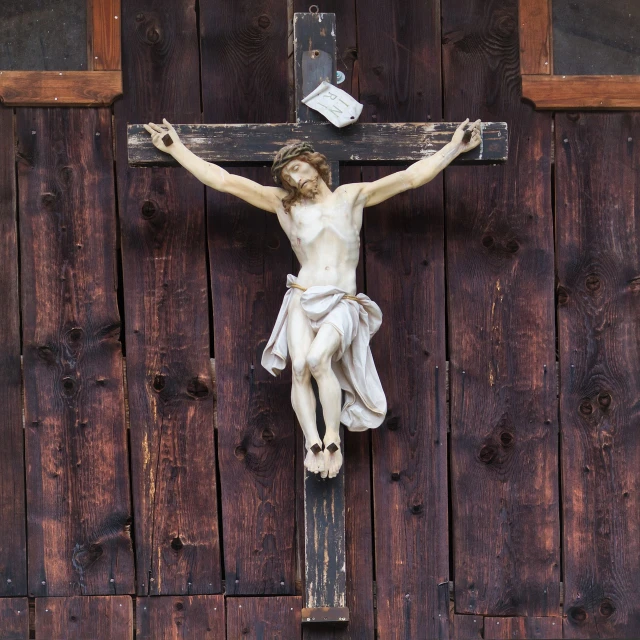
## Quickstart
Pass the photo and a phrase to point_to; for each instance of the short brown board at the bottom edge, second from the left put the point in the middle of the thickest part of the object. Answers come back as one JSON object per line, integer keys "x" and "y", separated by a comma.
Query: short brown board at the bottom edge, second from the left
{"x": 81, "y": 618}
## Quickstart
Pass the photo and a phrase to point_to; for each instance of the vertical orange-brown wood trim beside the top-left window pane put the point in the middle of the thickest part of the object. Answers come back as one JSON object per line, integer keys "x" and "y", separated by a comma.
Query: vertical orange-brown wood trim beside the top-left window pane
{"x": 105, "y": 50}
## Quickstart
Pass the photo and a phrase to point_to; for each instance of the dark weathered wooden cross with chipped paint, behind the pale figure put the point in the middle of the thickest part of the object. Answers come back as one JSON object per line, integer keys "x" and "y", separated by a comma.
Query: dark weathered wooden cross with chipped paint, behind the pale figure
{"x": 397, "y": 143}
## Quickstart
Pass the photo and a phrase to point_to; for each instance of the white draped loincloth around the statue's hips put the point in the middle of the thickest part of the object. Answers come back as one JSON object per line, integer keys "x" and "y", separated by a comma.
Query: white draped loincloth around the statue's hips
{"x": 365, "y": 405}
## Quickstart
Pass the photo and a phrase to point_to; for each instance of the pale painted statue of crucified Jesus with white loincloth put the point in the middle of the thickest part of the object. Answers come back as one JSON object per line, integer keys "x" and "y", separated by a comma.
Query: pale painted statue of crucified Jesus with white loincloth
{"x": 323, "y": 325}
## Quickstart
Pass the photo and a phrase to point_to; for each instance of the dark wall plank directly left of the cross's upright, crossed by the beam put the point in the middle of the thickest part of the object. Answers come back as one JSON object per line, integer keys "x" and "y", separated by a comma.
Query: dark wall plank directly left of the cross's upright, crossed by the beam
{"x": 244, "y": 53}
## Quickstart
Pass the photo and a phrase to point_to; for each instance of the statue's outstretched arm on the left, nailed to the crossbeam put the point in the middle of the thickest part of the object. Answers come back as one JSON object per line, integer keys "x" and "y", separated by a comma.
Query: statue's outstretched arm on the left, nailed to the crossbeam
{"x": 267, "y": 198}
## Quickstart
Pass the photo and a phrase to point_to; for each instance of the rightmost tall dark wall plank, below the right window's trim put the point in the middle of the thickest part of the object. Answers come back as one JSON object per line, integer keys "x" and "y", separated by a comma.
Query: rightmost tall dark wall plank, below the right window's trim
{"x": 597, "y": 222}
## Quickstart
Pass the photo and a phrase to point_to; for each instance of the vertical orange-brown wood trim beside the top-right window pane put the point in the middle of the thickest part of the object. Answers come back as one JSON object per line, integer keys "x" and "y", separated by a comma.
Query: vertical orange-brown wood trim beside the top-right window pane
{"x": 536, "y": 51}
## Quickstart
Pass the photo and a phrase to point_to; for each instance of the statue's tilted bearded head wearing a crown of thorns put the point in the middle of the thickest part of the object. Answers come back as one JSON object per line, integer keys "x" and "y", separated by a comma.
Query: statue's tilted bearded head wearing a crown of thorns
{"x": 299, "y": 170}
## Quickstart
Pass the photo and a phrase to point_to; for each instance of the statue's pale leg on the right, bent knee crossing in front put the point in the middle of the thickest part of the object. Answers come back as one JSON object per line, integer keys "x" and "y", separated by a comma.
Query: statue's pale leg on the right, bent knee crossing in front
{"x": 326, "y": 343}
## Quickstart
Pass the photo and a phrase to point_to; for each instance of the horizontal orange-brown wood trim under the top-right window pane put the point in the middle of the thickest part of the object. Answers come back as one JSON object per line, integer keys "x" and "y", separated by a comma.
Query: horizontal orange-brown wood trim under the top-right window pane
{"x": 582, "y": 92}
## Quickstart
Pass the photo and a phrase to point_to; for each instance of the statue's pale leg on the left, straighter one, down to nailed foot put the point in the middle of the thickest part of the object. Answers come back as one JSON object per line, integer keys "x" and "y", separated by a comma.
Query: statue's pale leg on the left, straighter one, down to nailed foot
{"x": 300, "y": 335}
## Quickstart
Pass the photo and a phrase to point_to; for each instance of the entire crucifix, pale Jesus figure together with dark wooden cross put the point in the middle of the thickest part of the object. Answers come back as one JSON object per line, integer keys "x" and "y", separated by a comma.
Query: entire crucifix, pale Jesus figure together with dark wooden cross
{"x": 323, "y": 325}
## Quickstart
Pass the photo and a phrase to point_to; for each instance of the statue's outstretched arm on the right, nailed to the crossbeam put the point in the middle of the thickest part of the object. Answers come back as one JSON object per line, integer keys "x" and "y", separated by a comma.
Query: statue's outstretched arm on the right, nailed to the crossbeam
{"x": 423, "y": 171}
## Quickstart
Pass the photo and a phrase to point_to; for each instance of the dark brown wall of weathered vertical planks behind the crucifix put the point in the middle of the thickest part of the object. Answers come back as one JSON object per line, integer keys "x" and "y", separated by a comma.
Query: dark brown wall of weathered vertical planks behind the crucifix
{"x": 128, "y": 488}
